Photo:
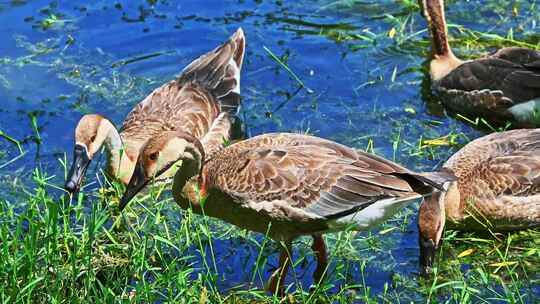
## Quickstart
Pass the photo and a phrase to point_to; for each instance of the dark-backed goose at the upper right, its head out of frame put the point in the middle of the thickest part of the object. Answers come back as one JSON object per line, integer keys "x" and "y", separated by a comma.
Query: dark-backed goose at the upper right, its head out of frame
{"x": 502, "y": 86}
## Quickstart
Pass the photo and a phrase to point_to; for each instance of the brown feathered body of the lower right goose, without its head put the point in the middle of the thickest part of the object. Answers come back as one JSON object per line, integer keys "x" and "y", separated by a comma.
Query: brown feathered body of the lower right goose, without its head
{"x": 499, "y": 176}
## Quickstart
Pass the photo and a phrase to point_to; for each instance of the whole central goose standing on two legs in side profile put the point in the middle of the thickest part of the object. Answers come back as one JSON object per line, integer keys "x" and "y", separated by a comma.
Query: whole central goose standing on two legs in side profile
{"x": 283, "y": 184}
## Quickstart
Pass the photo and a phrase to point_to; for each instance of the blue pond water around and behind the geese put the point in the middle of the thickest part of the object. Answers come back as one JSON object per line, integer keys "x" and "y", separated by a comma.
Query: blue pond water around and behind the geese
{"x": 366, "y": 91}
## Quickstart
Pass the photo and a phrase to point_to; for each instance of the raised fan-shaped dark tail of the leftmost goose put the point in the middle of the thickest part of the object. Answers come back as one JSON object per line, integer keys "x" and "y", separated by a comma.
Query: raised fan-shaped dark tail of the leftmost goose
{"x": 218, "y": 71}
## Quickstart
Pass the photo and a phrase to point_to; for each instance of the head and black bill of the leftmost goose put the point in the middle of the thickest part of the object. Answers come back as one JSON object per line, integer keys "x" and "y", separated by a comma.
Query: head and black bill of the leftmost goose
{"x": 90, "y": 133}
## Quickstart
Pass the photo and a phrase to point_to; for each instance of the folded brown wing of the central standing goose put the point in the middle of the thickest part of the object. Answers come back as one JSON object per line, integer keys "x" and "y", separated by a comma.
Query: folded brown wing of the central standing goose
{"x": 320, "y": 177}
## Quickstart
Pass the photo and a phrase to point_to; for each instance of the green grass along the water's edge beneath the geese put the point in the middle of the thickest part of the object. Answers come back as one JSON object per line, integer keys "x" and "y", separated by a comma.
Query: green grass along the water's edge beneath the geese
{"x": 57, "y": 249}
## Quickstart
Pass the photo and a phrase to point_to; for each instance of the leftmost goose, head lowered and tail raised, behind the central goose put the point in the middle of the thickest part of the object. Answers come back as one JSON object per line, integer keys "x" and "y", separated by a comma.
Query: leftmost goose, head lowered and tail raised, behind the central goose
{"x": 202, "y": 101}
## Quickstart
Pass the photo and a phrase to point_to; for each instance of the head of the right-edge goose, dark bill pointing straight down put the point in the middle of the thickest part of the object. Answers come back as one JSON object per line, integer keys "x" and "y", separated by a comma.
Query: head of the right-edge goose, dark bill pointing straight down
{"x": 431, "y": 221}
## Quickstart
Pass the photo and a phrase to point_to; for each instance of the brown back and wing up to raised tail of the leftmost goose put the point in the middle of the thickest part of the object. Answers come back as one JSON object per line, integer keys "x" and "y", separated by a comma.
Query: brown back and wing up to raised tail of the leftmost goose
{"x": 207, "y": 86}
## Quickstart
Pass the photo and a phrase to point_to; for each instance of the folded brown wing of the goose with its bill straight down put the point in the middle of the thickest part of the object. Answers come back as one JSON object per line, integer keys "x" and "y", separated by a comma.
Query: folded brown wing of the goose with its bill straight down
{"x": 500, "y": 163}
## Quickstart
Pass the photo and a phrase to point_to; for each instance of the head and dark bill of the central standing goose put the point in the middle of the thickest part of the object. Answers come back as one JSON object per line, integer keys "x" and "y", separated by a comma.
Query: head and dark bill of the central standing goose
{"x": 159, "y": 154}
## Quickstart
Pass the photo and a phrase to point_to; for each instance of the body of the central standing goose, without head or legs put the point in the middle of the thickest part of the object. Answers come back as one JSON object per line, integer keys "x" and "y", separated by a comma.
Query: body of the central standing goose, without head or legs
{"x": 301, "y": 185}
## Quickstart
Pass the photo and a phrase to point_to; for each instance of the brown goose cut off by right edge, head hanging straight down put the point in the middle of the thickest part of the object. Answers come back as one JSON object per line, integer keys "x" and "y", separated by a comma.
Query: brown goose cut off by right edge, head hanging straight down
{"x": 497, "y": 188}
